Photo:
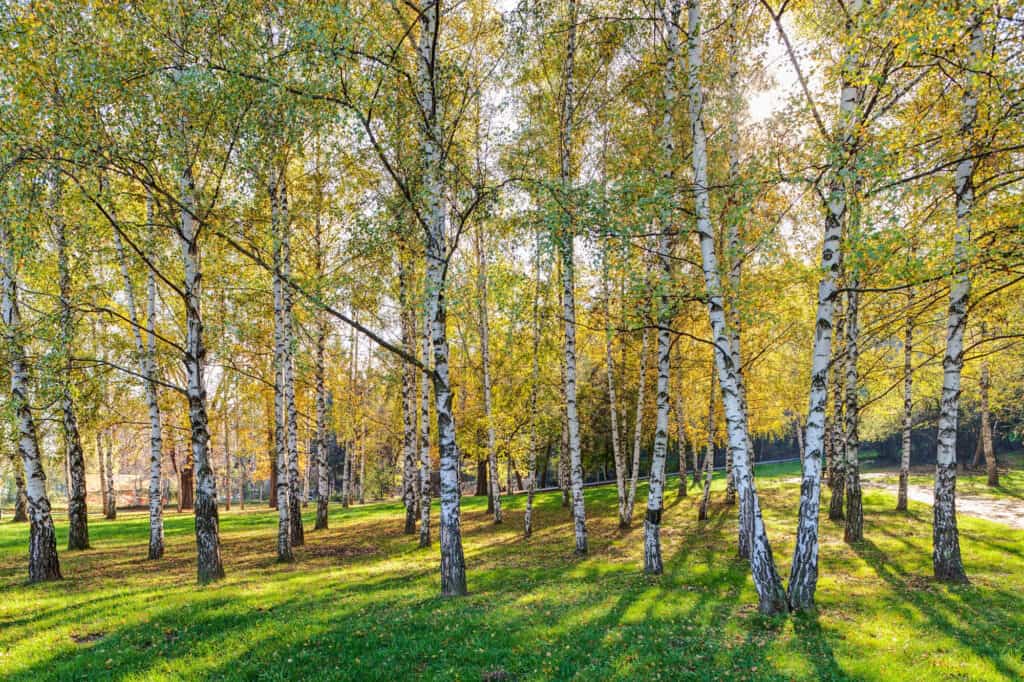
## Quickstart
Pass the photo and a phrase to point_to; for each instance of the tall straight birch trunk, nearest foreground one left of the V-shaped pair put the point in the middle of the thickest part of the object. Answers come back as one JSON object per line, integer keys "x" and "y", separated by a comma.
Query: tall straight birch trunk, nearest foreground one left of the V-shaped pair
{"x": 656, "y": 495}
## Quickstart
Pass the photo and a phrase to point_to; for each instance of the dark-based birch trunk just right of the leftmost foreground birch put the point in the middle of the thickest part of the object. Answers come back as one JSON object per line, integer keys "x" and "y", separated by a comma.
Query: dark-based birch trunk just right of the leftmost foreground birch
{"x": 78, "y": 522}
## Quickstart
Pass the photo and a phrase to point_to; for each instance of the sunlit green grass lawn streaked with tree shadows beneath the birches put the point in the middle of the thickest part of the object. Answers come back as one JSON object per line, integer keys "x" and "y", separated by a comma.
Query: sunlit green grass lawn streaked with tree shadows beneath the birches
{"x": 361, "y": 603}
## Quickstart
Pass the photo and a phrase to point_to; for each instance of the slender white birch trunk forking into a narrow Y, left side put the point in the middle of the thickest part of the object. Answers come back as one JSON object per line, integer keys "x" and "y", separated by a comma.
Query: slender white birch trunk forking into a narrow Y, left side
{"x": 147, "y": 359}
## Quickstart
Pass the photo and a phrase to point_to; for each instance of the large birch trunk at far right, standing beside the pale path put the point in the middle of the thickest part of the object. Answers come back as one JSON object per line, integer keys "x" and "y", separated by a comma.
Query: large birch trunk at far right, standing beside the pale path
{"x": 946, "y": 537}
